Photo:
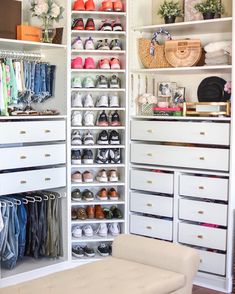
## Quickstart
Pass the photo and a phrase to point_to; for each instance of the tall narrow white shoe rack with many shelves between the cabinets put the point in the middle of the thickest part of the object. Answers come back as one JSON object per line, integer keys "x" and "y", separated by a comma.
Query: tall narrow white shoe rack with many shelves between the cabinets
{"x": 96, "y": 92}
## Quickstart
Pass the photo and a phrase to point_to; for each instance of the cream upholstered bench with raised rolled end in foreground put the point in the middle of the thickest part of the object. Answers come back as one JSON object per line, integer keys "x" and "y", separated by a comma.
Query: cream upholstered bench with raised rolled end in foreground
{"x": 138, "y": 265}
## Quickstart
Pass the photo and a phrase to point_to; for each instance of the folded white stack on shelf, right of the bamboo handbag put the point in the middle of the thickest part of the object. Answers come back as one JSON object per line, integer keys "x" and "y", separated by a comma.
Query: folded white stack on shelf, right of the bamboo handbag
{"x": 218, "y": 53}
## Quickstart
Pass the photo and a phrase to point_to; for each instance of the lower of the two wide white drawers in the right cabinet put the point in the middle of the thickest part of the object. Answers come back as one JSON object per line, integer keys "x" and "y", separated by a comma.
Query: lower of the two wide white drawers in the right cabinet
{"x": 189, "y": 157}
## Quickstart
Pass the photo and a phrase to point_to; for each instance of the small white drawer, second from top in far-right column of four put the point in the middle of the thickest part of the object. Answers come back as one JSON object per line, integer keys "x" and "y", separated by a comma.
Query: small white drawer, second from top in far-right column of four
{"x": 199, "y": 211}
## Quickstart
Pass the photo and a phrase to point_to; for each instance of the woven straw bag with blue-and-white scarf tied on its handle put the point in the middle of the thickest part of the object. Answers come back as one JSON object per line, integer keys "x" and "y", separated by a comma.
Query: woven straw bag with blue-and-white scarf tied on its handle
{"x": 151, "y": 53}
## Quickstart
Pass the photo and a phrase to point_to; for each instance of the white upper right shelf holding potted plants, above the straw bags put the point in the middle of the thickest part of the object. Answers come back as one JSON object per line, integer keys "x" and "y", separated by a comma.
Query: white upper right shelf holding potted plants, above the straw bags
{"x": 218, "y": 25}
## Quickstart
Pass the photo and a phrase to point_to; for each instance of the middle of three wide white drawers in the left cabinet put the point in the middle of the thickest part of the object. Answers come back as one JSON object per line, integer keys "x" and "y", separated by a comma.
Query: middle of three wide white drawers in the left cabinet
{"x": 31, "y": 156}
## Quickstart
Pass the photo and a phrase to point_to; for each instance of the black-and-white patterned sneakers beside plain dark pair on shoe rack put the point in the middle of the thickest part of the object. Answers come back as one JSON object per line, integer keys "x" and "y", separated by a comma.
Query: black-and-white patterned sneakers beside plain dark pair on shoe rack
{"x": 106, "y": 156}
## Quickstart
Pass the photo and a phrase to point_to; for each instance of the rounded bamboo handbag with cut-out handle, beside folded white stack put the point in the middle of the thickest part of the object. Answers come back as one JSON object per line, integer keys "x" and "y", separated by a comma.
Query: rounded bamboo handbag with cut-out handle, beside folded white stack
{"x": 183, "y": 53}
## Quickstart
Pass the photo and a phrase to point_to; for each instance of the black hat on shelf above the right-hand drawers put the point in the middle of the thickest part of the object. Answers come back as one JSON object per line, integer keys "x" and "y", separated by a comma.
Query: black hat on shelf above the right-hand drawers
{"x": 211, "y": 89}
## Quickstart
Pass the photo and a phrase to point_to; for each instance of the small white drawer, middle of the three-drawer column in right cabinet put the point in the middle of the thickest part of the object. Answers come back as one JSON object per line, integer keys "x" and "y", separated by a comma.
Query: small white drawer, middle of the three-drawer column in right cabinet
{"x": 151, "y": 204}
